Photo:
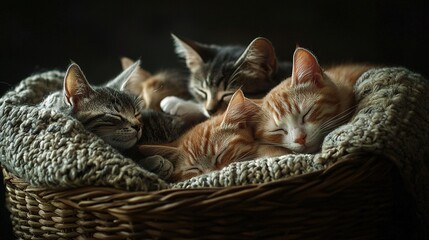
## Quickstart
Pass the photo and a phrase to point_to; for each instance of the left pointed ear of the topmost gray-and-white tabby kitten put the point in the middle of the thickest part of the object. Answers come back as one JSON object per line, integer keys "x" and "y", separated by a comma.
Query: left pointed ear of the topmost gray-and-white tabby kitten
{"x": 188, "y": 50}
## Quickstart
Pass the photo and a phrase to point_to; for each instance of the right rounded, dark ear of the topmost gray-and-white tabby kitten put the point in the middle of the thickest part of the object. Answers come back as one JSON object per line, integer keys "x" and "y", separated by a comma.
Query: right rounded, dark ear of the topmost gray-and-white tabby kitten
{"x": 261, "y": 54}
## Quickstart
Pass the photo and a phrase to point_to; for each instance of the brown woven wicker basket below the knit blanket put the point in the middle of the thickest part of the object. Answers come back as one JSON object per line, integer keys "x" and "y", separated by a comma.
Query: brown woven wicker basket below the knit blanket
{"x": 357, "y": 198}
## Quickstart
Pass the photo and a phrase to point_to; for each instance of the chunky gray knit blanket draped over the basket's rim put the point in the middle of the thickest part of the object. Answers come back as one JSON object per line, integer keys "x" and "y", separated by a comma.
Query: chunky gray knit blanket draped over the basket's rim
{"x": 47, "y": 148}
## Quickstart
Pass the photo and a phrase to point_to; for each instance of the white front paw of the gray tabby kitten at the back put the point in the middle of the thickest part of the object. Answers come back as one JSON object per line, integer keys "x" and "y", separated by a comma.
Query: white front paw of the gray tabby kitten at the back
{"x": 190, "y": 111}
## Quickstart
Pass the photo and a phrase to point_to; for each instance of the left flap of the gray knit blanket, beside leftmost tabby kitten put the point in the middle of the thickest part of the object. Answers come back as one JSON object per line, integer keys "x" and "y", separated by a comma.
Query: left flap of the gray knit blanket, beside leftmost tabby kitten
{"x": 48, "y": 148}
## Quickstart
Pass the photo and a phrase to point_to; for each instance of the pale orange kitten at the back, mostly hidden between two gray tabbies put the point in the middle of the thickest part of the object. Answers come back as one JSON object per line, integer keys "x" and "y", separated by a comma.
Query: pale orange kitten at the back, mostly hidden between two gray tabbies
{"x": 152, "y": 88}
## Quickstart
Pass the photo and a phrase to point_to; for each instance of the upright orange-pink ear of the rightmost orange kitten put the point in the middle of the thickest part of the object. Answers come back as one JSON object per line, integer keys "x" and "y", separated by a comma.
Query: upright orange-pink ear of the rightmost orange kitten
{"x": 306, "y": 68}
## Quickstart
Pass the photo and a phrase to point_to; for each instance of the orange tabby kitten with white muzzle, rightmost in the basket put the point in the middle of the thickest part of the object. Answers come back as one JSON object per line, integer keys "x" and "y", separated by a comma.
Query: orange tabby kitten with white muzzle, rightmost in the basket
{"x": 305, "y": 107}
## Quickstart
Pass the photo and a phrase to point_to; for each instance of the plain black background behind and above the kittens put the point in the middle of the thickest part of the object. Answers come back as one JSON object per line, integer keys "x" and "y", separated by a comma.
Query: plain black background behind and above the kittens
{"x": 42, "y": 35}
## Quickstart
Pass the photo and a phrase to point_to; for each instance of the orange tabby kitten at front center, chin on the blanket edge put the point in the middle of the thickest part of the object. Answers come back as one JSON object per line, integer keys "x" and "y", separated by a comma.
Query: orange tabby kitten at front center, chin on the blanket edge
{"x": 213, "y": 144}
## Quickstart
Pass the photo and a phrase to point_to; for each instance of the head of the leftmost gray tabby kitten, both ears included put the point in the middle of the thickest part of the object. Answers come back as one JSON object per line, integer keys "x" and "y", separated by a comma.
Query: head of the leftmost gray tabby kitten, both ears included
{"x": 112, "y": 114}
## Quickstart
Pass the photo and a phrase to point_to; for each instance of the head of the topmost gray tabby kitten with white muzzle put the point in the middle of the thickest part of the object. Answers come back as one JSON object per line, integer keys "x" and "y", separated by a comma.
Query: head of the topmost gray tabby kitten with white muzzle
{"x": 216, "y": 72}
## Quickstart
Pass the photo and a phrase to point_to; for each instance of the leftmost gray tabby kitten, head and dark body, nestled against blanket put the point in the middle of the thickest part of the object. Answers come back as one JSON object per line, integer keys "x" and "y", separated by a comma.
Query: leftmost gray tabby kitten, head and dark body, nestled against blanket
{"x": 112, "y": 112}
